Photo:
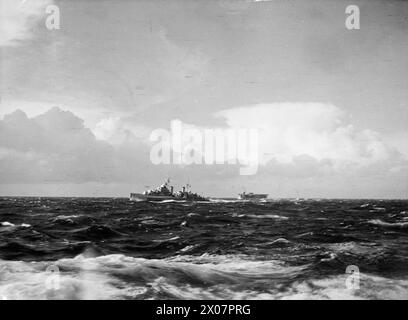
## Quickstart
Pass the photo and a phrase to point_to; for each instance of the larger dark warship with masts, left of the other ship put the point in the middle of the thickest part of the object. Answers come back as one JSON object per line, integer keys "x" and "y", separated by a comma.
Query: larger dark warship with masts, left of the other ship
{"x": 166, "y": 192}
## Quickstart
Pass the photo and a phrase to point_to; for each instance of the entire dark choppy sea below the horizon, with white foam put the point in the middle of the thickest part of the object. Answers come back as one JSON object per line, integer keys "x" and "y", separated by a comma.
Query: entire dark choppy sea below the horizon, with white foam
{"x": 111, "y": 248}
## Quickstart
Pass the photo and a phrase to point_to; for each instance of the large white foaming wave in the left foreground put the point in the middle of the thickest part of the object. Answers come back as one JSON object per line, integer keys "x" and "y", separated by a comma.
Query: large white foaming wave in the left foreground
{"x": 123, "y": 277}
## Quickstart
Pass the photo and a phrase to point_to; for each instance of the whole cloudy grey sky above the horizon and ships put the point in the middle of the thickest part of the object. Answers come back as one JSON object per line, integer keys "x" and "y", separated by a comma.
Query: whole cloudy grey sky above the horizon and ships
{"x": 79, "y": 103}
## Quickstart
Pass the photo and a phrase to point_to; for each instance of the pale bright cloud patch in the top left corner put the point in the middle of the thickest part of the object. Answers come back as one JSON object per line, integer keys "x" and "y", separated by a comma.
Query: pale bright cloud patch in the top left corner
{"x": 18, "y": 18}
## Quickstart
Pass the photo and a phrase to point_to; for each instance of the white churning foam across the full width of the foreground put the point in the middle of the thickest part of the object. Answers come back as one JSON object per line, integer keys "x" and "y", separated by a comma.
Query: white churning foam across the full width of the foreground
{"x": 182, "y": 277}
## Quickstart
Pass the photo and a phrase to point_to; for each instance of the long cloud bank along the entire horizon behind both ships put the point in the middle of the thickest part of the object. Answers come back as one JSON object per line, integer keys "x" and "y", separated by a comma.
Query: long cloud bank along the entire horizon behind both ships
{"x": 309, "y": 148}
